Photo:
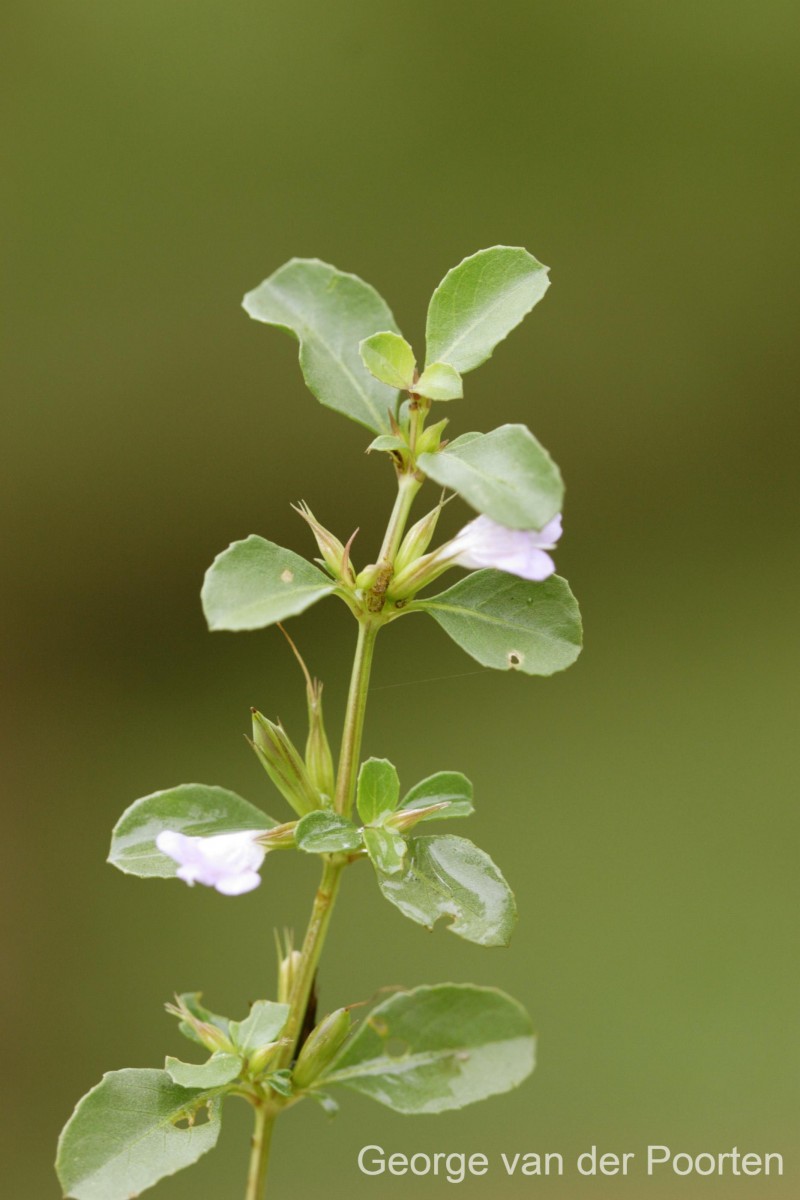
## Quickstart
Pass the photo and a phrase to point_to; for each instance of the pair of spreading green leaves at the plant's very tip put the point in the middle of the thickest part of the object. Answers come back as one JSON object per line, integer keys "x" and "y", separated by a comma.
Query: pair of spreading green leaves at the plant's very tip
{"x": 332, "y": 314}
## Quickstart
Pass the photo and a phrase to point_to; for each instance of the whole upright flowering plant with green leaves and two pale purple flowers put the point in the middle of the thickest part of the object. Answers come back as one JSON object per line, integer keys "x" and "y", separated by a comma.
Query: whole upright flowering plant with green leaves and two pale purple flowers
{"x": 458, "y": 1043}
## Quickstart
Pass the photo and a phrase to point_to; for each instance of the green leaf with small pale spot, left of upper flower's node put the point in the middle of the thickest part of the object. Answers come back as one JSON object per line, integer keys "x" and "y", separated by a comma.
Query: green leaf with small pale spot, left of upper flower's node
{"x": 256, "y": 584}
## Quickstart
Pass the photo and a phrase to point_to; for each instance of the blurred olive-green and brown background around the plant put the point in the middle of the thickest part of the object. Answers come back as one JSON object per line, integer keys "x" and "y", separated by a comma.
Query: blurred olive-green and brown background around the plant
{"x": 165, "y": 158}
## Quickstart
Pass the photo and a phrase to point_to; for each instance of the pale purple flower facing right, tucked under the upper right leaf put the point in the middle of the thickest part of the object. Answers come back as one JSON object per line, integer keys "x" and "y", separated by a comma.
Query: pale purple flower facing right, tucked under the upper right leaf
{"x": 484, "y": 543}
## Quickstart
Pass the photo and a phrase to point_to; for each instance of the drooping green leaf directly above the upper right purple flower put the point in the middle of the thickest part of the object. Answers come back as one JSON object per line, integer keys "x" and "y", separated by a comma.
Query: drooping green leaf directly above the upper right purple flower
{"x": 506, "y": 475}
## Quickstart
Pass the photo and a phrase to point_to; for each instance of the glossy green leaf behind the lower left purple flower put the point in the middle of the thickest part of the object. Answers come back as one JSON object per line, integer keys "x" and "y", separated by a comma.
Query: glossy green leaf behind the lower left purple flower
{"x": 191, "y": 809}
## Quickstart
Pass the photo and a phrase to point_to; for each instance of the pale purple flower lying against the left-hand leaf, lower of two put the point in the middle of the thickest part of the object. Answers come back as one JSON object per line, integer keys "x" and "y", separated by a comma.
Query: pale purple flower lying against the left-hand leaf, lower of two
{"x": 228, "y": 862}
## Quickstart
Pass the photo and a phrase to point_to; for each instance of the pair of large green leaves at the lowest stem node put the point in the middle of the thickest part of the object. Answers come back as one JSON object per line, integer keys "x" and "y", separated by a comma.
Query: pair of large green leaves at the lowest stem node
{"x": 428, "y": 1051}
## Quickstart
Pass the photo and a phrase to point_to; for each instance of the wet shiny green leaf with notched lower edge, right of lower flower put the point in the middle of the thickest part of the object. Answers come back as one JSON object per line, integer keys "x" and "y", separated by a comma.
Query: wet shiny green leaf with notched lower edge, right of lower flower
{"x": 449, "y": 877}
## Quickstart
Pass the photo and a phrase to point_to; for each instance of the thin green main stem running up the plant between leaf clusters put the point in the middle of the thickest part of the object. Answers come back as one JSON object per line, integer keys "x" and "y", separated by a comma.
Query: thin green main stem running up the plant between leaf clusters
{"x": 329, "y": 885}
